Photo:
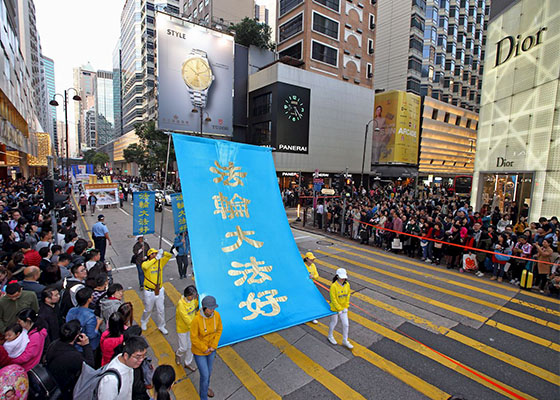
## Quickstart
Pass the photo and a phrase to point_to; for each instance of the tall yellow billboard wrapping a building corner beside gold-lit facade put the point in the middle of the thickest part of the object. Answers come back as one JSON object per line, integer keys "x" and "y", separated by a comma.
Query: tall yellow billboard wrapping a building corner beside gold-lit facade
{"x": 396, "y": 127}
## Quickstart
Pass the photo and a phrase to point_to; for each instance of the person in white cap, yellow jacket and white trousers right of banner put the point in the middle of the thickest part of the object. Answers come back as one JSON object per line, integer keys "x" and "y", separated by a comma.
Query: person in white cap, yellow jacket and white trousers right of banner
{"x": 340, "y": 300}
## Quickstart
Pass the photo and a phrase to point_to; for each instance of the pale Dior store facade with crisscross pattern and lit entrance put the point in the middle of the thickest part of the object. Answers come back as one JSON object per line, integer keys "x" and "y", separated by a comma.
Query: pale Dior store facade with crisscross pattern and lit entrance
{"x": 517, "y": 165}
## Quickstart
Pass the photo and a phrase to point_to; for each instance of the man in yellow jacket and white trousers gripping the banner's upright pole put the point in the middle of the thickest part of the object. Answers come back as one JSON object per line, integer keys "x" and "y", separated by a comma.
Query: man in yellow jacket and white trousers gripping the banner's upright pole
{"x": 153, "y": 279}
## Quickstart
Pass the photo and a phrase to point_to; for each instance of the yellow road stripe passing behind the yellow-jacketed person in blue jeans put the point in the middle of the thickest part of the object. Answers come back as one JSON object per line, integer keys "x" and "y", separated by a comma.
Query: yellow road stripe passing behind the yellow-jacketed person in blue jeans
{"x": 249, "y": 378}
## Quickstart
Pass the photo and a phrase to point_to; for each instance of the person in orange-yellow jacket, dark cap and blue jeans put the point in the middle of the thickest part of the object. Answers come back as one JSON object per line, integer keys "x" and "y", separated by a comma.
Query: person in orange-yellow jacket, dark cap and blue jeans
{"x": 206, "y": 329}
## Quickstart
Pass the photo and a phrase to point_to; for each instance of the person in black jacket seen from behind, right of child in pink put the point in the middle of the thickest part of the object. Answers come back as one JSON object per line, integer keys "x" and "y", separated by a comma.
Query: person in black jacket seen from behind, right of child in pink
{"x": 64, "y": 361}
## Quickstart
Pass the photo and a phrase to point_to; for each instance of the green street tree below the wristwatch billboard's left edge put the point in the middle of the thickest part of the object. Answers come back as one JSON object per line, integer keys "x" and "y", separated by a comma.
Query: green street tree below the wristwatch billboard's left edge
{"x": 151, "y": 151}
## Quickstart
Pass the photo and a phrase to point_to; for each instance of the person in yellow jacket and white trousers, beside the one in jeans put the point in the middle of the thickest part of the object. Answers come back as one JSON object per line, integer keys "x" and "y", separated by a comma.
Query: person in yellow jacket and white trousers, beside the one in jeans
{"x": 185, "y": 312}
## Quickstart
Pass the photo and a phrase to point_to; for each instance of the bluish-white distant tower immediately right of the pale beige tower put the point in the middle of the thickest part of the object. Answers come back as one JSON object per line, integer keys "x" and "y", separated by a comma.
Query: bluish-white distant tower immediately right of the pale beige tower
{"x": 104, "y": 111}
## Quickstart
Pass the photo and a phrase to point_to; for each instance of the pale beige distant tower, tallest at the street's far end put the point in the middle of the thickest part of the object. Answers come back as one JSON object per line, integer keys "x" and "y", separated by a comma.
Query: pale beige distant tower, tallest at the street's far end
{"x": 84, "y": 82}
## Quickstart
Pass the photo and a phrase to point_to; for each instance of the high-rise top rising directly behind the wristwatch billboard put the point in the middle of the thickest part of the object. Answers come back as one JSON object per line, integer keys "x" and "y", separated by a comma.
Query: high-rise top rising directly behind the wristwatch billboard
{"x": 217, "y": 13}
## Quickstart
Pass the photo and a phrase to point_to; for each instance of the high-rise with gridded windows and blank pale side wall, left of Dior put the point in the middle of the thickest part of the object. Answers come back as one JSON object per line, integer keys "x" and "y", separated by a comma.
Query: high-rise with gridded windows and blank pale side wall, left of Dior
{"x": 432, "y": 48}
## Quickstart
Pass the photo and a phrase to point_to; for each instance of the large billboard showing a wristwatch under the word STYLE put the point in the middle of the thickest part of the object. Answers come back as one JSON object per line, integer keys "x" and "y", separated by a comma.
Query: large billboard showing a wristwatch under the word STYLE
{"x": 194, "y": 72}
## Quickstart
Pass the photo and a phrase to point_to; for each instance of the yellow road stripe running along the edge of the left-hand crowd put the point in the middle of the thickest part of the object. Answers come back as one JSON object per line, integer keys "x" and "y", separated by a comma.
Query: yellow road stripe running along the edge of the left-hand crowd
{"x": 183, "y": 389}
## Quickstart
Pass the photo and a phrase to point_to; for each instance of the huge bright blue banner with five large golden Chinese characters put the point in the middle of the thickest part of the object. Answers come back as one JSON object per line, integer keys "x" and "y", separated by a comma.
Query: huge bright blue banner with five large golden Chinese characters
{"x": 242, "y": 248}
